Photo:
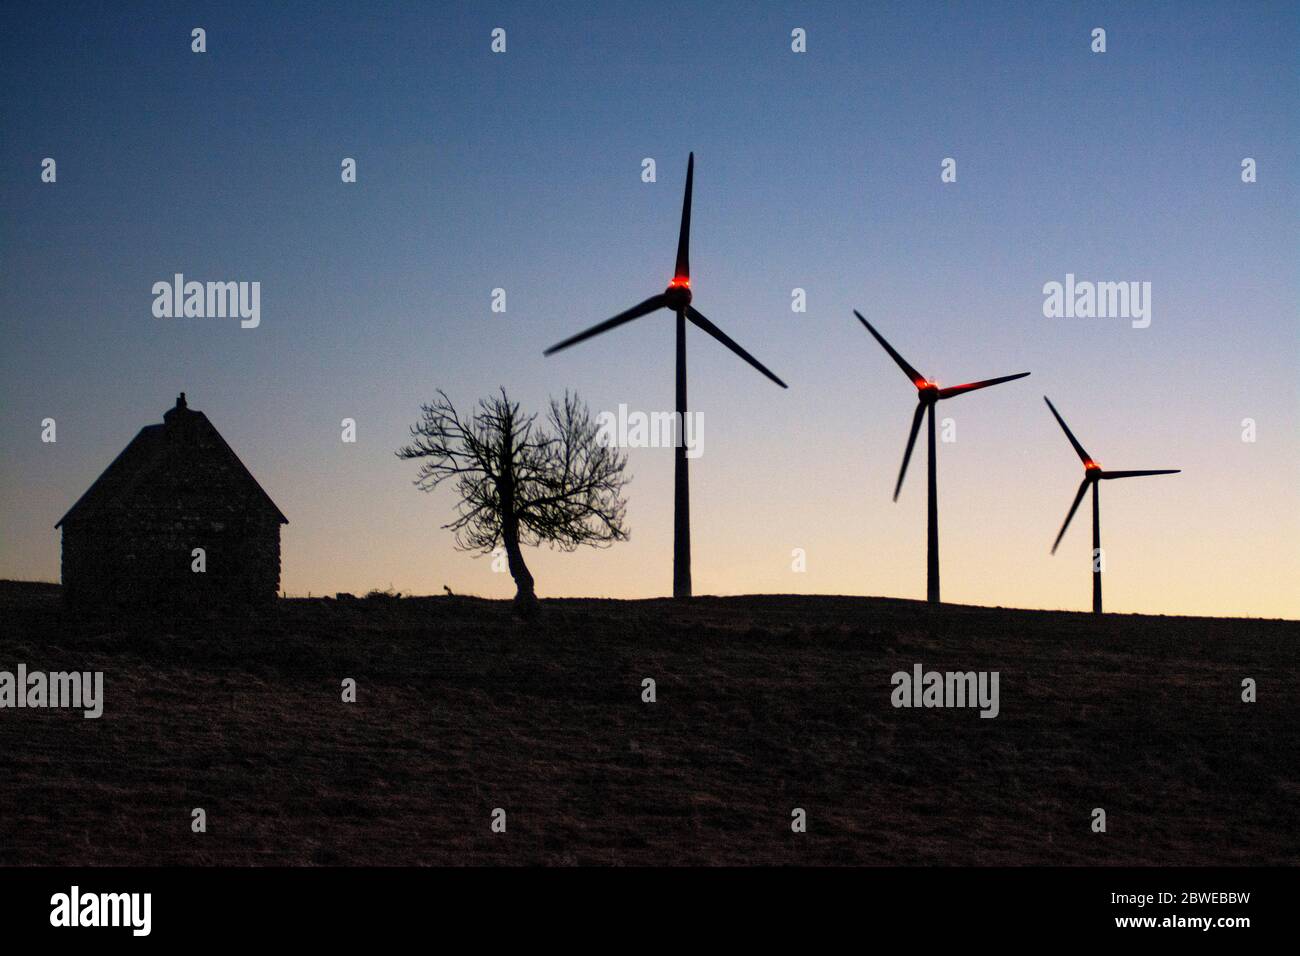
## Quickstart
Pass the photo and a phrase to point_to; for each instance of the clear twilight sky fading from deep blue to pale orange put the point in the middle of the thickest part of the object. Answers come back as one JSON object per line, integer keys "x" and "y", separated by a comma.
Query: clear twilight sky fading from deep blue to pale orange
{"x": 817, "y": 171}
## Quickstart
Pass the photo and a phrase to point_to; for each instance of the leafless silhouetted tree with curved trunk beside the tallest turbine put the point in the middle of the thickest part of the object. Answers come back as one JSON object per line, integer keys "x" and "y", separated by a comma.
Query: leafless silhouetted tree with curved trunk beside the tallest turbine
{"x": 522, "y": 483}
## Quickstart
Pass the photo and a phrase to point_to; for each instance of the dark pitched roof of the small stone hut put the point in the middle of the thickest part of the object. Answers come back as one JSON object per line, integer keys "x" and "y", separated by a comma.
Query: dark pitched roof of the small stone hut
{"x": 181, "y": 464}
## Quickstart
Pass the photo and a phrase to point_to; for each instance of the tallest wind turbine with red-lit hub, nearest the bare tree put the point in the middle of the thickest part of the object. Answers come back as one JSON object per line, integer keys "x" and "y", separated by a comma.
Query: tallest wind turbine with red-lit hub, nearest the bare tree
{"x": 677, "y": 299}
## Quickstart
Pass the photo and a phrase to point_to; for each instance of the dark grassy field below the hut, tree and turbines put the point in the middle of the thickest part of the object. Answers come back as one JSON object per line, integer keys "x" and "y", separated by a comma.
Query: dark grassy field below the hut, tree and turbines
{"x": 765, "y": 704}
